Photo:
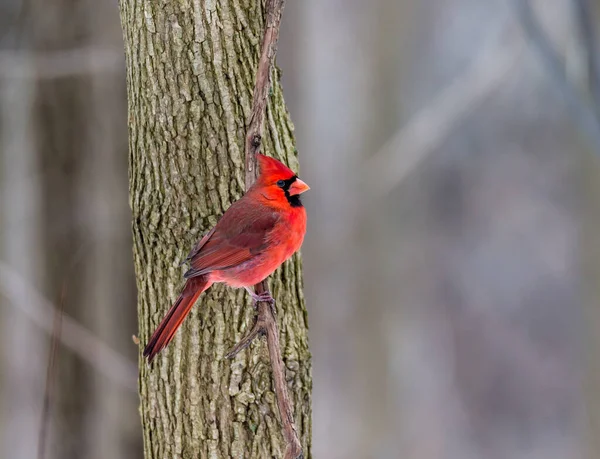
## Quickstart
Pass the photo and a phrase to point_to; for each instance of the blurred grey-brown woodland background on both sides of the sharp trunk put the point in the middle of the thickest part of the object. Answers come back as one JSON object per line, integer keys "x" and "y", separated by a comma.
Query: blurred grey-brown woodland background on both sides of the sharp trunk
{"x": 452, "y": 258}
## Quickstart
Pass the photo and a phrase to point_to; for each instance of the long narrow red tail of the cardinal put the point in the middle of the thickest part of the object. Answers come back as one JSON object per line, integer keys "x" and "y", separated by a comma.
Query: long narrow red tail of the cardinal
{"x": 174, "y": 318}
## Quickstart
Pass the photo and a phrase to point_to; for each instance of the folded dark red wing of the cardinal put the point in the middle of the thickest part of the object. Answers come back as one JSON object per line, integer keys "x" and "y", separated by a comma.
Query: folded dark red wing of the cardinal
{"x": 238, "y": 236}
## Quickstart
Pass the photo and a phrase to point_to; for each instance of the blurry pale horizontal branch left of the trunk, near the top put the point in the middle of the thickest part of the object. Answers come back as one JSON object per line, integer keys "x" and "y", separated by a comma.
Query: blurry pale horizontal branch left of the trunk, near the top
{"x": 59, "y": 64}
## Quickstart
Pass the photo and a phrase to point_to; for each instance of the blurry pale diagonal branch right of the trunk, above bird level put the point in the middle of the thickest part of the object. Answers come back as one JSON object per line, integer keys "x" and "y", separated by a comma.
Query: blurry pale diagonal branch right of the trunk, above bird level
{"x": 428, "y": 128}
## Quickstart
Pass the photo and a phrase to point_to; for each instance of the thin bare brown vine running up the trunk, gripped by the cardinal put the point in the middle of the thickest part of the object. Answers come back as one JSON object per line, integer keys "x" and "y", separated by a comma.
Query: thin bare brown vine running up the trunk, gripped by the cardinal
{"x": 265, "y": 320}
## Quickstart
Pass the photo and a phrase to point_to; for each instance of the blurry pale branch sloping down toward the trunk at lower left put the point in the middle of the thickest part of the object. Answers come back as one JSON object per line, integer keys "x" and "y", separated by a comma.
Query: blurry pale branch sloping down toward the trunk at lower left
{"x": 22, "y": 295}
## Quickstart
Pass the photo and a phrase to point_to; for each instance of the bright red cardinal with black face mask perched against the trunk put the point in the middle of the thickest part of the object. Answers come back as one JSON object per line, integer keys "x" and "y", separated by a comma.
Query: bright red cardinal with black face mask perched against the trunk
{"x": 252, "y": 239}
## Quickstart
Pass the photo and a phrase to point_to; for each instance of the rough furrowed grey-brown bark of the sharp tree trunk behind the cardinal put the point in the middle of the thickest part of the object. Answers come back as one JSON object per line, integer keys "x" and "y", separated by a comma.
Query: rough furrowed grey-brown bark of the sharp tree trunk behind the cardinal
{"x": 190, "y": 71}
